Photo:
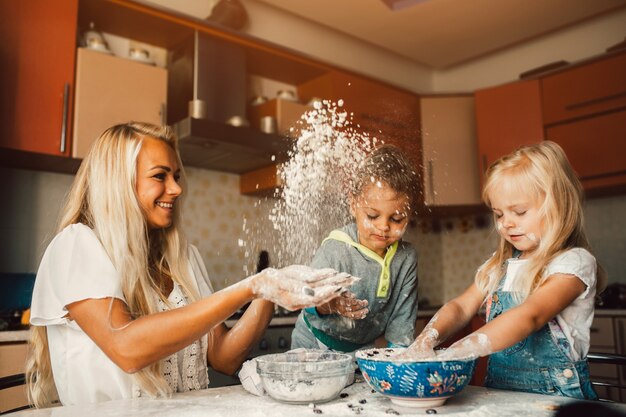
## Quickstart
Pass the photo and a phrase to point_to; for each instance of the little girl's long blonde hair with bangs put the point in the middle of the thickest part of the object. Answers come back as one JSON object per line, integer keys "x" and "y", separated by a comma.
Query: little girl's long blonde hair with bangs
{"x": 543, "y": 173}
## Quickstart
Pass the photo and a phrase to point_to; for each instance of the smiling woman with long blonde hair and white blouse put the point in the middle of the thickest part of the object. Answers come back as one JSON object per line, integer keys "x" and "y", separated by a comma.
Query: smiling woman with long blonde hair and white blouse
{"x": 122, "y": 305}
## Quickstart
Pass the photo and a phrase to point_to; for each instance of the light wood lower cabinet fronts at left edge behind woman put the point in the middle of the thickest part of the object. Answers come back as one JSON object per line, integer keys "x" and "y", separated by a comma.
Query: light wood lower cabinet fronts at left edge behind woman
{"x": 12, "y": 362}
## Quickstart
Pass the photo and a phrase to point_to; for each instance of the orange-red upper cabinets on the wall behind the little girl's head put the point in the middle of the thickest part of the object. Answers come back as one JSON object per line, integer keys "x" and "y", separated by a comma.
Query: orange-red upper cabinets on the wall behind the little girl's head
{"x": 582, "y": 107}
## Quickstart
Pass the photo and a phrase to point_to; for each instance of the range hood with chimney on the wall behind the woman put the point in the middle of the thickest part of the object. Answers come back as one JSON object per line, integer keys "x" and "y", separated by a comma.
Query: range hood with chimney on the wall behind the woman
{"x": 207, "y": 84}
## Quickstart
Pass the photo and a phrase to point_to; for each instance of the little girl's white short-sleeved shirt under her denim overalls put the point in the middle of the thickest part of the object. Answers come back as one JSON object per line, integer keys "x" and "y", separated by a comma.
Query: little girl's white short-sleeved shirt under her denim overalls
{"x": 575, "y": 320}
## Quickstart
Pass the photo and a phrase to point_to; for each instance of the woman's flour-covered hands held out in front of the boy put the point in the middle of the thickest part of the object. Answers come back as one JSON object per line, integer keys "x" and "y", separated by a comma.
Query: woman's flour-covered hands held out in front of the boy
{"x": 299, "y": 286}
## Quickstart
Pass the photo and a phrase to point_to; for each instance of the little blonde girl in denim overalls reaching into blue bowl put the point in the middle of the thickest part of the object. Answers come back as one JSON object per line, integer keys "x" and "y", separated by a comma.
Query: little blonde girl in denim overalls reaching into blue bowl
{"x": 539, "y": 286}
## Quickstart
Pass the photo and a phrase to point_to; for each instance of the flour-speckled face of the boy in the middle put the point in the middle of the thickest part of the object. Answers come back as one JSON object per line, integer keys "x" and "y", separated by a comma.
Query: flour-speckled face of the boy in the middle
{"x": 381, "y": 215}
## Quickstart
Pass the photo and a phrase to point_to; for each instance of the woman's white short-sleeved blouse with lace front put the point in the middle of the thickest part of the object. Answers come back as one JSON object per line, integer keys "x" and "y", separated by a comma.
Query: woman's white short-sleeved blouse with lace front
{"x": 76, "y": 267}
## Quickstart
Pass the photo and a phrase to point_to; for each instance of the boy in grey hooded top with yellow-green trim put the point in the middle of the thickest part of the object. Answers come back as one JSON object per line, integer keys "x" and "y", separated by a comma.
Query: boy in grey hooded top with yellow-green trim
{"x": 384, "y": 302}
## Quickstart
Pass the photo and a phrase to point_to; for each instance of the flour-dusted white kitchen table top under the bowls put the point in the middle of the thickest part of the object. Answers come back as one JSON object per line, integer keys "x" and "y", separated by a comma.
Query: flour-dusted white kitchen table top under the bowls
{"x": 234, "y": 401}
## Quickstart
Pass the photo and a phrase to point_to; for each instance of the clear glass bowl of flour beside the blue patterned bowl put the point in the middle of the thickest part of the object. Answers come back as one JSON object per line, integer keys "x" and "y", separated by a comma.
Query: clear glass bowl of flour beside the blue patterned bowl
{"x": 303, "y": 377}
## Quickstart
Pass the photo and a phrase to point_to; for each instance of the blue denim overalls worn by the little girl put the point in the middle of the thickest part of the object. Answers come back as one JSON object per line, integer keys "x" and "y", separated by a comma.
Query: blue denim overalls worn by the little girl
{"x": 539, "y": 363}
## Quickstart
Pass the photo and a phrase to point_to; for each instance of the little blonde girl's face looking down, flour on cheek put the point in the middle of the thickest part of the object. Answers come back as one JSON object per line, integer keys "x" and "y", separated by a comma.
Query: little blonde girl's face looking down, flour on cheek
{"x": 518, "y": 217}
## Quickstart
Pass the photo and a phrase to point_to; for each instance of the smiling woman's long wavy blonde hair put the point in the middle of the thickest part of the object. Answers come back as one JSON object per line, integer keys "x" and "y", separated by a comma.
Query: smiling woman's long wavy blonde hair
{"x": 103, "y": 197}
